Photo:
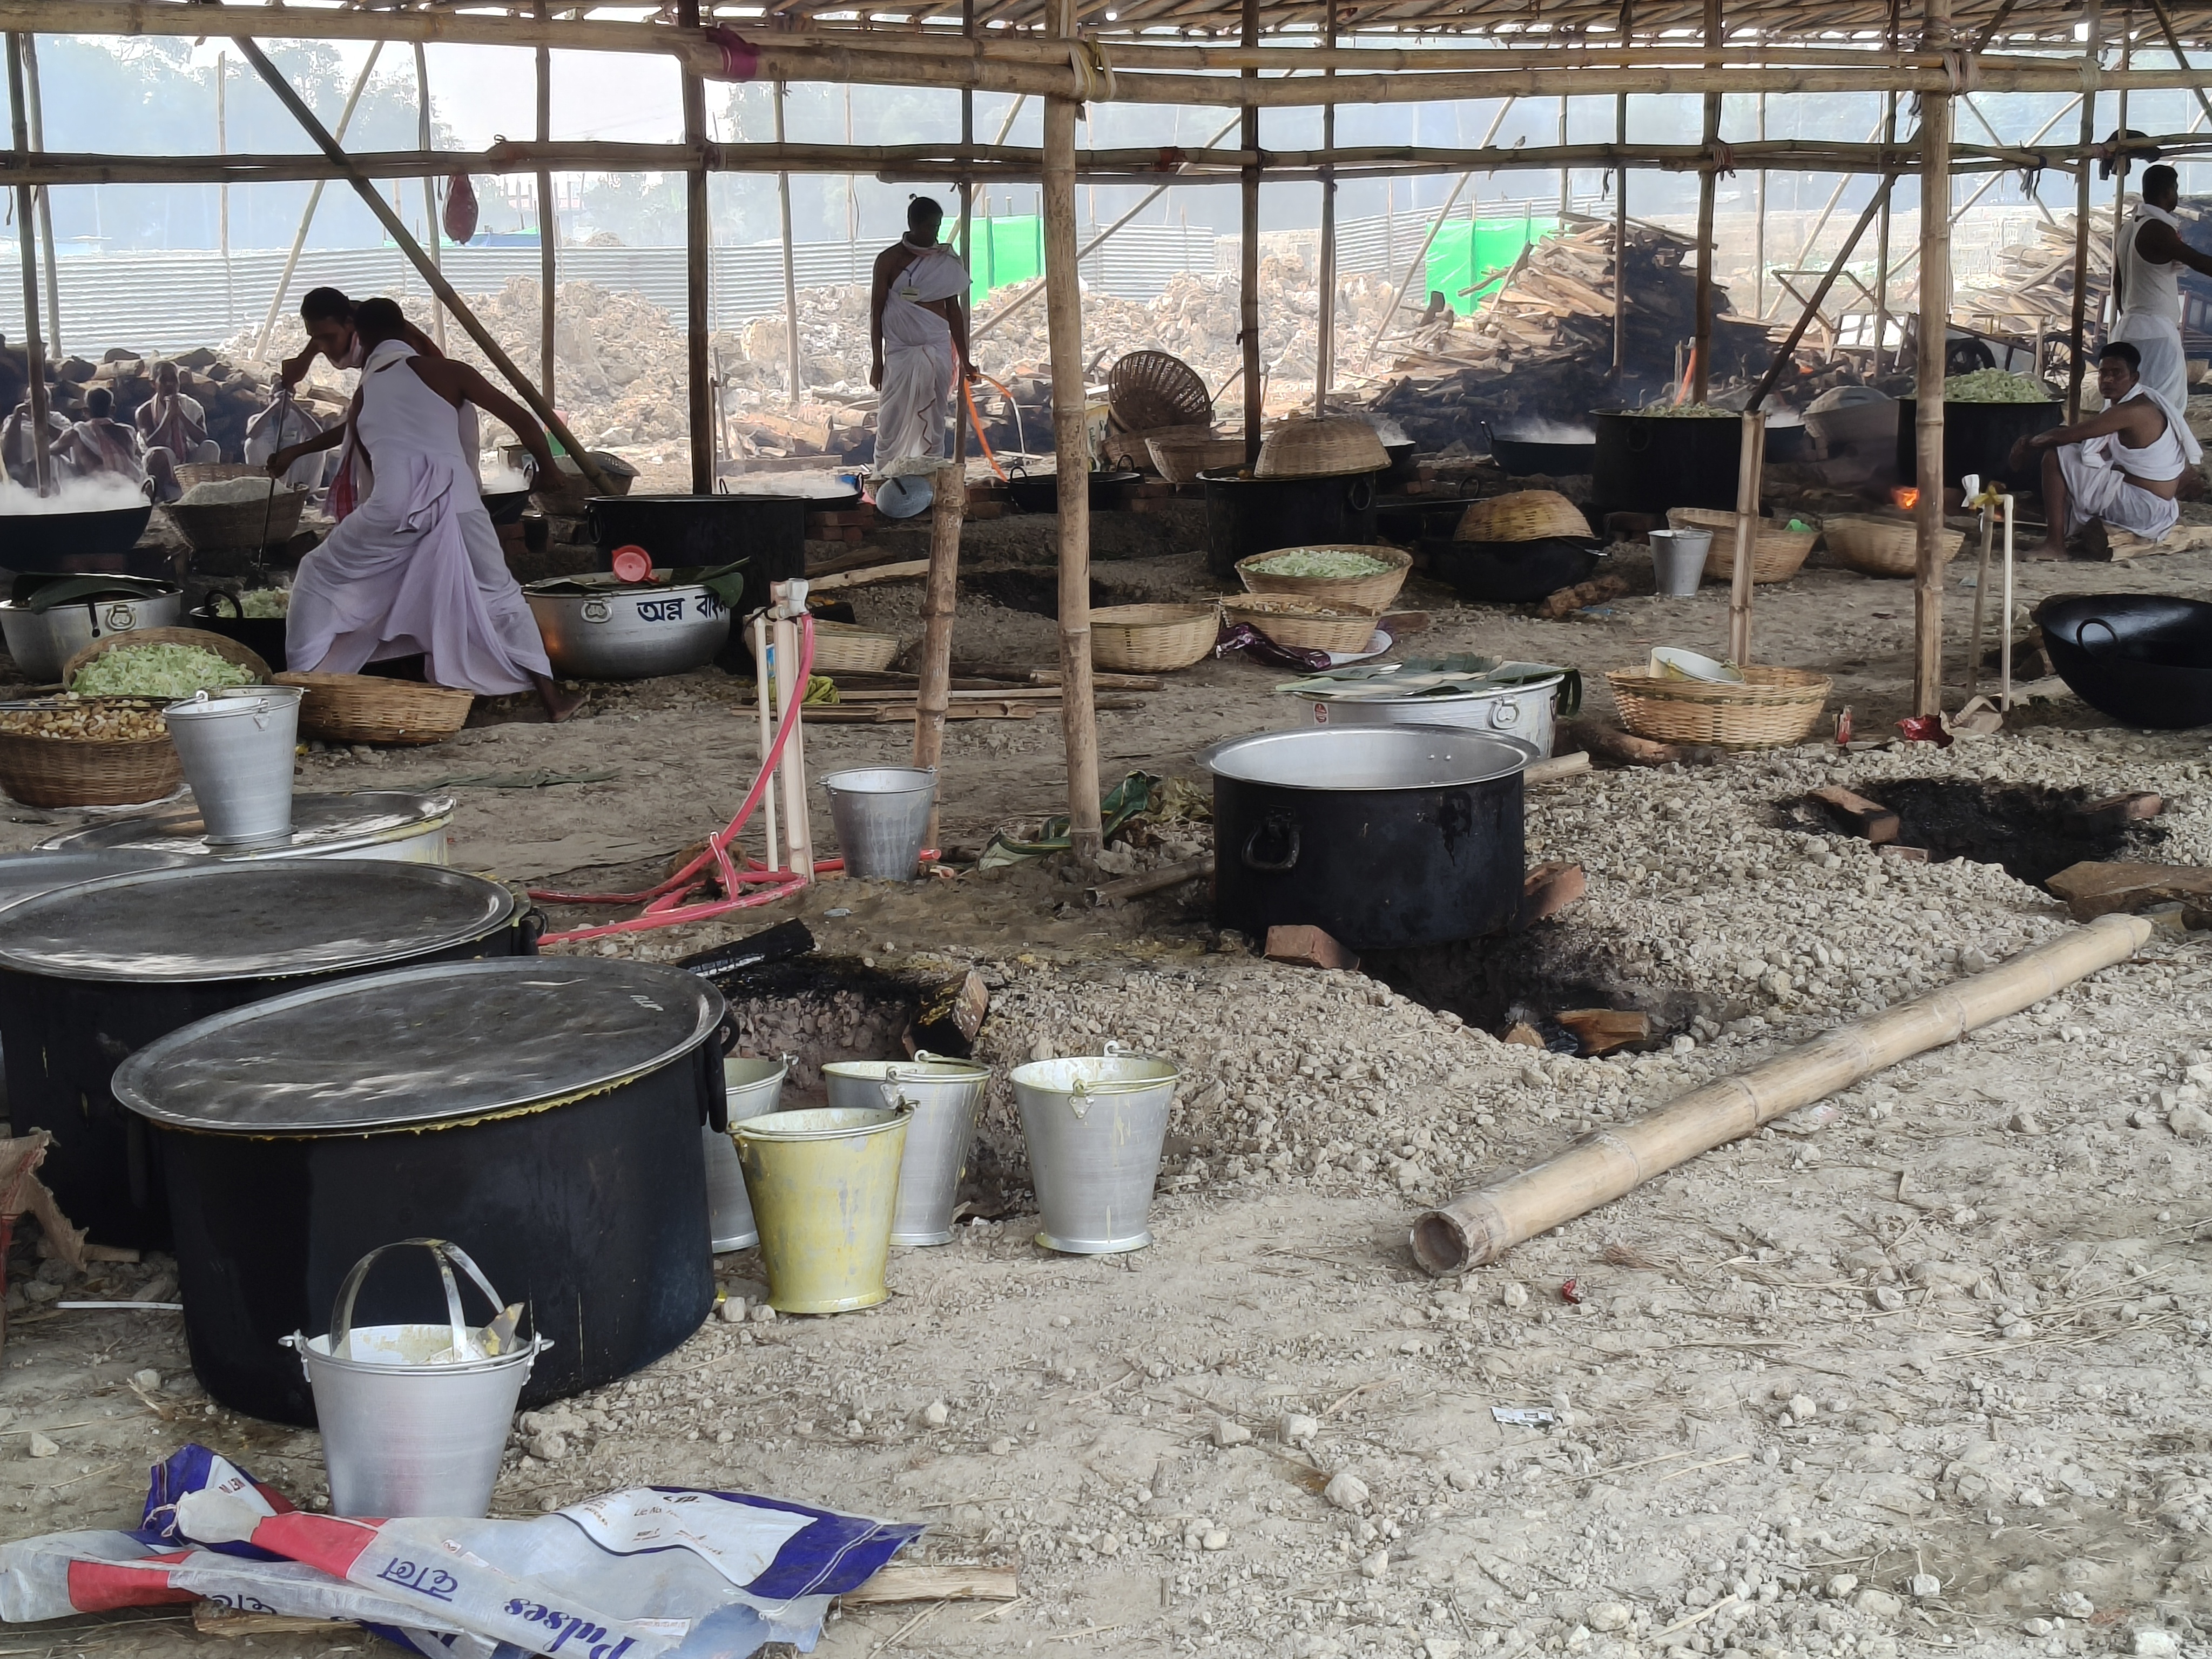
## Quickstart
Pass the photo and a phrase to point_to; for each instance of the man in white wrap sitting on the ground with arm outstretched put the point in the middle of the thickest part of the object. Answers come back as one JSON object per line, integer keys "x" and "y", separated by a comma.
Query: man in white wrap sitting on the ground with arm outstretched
{"x": 2125, "y": 468}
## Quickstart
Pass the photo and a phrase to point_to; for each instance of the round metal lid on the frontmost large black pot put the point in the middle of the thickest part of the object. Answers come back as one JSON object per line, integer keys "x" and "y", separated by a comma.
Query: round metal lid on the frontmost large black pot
{"x": 419, "y": 1047}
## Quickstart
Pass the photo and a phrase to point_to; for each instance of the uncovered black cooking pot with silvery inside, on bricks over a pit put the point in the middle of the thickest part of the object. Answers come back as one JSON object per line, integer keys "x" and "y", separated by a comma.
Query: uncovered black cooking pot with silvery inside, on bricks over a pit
{"x": 1377, "y": 835}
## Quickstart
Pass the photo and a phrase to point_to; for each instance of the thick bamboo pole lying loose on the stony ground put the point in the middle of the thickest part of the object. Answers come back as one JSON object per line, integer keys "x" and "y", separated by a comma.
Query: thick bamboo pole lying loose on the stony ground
{"x": 1609, "y": 1165}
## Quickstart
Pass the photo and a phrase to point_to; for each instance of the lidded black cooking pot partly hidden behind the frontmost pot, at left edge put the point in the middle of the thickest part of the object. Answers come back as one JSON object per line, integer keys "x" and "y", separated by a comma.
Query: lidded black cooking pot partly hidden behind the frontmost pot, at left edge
{"x": 96, "y": 972}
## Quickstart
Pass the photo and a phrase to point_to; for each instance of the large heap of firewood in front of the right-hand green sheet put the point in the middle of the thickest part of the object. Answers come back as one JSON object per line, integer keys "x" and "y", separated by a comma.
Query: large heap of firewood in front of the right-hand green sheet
{"x": 1541, "y": 351}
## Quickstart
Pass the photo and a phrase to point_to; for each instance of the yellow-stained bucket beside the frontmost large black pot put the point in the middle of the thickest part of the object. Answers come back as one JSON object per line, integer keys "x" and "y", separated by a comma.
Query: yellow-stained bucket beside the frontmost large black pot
{"x": 824, "y": 1189}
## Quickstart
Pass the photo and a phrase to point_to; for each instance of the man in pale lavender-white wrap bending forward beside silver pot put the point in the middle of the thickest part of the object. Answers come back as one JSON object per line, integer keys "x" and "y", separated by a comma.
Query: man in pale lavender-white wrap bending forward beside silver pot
{"x": 417, "y": 567}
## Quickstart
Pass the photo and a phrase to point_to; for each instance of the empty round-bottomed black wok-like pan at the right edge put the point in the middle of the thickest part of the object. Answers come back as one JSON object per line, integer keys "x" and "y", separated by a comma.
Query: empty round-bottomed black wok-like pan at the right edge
{"x": 2140, "y": 658}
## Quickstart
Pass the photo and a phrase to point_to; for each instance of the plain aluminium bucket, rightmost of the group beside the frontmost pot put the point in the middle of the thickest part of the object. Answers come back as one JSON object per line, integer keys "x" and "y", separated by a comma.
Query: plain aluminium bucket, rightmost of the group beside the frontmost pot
{"x": 1096, "y": 1127}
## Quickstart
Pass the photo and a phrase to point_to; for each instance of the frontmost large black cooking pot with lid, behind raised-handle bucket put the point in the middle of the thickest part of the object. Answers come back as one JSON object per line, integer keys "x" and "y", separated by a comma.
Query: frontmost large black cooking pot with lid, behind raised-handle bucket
{"x": 543, "y": 1116}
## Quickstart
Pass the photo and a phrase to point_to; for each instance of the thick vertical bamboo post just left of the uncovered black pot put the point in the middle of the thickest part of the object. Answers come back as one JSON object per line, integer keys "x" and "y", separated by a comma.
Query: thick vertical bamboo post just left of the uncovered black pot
{"x": 1065, "y": 326}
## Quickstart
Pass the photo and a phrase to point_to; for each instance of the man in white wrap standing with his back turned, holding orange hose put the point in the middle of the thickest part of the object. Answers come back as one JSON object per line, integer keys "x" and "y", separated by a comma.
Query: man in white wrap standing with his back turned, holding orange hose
{"x": 917, "y": 322}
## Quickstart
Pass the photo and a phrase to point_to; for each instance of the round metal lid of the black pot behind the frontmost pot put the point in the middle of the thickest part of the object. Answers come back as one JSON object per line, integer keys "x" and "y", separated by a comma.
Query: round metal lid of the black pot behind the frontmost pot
{"x": 249, "y": 921}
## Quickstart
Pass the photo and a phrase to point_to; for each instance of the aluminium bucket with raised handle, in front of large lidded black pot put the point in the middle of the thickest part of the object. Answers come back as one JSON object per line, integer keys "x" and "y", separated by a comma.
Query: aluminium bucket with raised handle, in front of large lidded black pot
{"x": 415, "y": 1417}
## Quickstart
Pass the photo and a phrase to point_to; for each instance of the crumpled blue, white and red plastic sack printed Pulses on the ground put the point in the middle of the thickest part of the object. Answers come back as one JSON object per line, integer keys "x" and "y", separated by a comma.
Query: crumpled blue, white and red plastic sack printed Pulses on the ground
{"x": 629, "y": 1576}
